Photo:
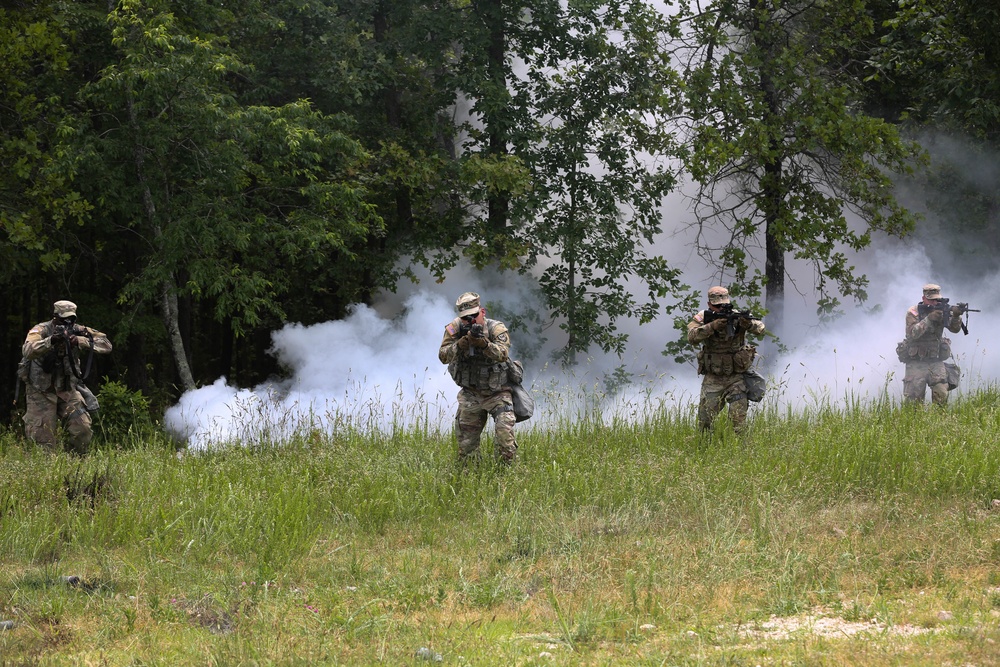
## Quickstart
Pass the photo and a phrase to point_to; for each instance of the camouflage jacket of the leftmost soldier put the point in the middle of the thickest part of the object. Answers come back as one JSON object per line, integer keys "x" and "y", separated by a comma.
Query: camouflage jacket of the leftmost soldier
{"x": 45, "y": 366}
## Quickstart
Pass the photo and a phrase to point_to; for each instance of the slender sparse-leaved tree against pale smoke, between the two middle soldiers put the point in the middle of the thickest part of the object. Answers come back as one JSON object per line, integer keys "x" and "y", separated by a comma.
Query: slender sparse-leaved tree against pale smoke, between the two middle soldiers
{"x": 596, "y": 152}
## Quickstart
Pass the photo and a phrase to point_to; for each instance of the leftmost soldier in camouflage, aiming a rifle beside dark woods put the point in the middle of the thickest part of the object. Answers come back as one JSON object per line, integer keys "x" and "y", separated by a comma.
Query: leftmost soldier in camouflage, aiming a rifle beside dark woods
{"x": 53, "y": 377}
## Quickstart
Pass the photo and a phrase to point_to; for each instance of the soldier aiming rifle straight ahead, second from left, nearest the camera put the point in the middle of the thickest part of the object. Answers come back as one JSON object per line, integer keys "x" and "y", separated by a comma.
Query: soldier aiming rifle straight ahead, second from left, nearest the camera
{"x": 477, "y": 358}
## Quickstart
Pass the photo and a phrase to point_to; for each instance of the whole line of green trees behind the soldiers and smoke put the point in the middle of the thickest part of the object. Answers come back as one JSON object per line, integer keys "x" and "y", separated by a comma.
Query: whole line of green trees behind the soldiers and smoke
{"x": 196, "y": 173}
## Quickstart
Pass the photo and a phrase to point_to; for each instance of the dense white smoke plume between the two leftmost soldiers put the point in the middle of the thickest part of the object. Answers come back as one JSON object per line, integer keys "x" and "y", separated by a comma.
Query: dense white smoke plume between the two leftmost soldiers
{"x": 363, "y": 372}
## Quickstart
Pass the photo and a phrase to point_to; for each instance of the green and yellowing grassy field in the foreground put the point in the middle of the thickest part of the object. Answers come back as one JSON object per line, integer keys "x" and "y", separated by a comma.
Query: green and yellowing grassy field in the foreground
{"x": 864, "y": 536}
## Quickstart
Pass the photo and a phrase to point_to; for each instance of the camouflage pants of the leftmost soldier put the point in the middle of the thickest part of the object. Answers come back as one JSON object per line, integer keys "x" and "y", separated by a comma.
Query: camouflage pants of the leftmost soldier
{"x": 45, "y": 409}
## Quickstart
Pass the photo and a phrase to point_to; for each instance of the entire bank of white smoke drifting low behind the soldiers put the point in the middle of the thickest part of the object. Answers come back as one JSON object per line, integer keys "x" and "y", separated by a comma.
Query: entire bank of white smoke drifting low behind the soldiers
{"x": 377, "y": 369}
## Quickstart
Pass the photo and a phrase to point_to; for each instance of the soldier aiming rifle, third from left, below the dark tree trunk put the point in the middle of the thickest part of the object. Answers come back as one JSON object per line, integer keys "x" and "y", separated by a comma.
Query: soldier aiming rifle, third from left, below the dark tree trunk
{"x": 723, "y": 359}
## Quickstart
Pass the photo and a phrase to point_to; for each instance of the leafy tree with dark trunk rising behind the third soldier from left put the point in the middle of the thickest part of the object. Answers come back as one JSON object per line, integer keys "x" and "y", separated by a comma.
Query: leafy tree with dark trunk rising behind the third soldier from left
{"x": 781, "y": 150}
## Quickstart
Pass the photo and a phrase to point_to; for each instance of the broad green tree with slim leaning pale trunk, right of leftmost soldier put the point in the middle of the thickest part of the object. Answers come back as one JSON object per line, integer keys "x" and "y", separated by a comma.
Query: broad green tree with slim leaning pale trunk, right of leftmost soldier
{"x": 214, "y": 200}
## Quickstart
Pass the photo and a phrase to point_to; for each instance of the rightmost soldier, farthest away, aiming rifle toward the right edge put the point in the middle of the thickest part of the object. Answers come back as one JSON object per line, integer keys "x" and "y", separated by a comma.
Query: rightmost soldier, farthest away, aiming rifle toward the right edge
{"x": 925, "y": 348}
